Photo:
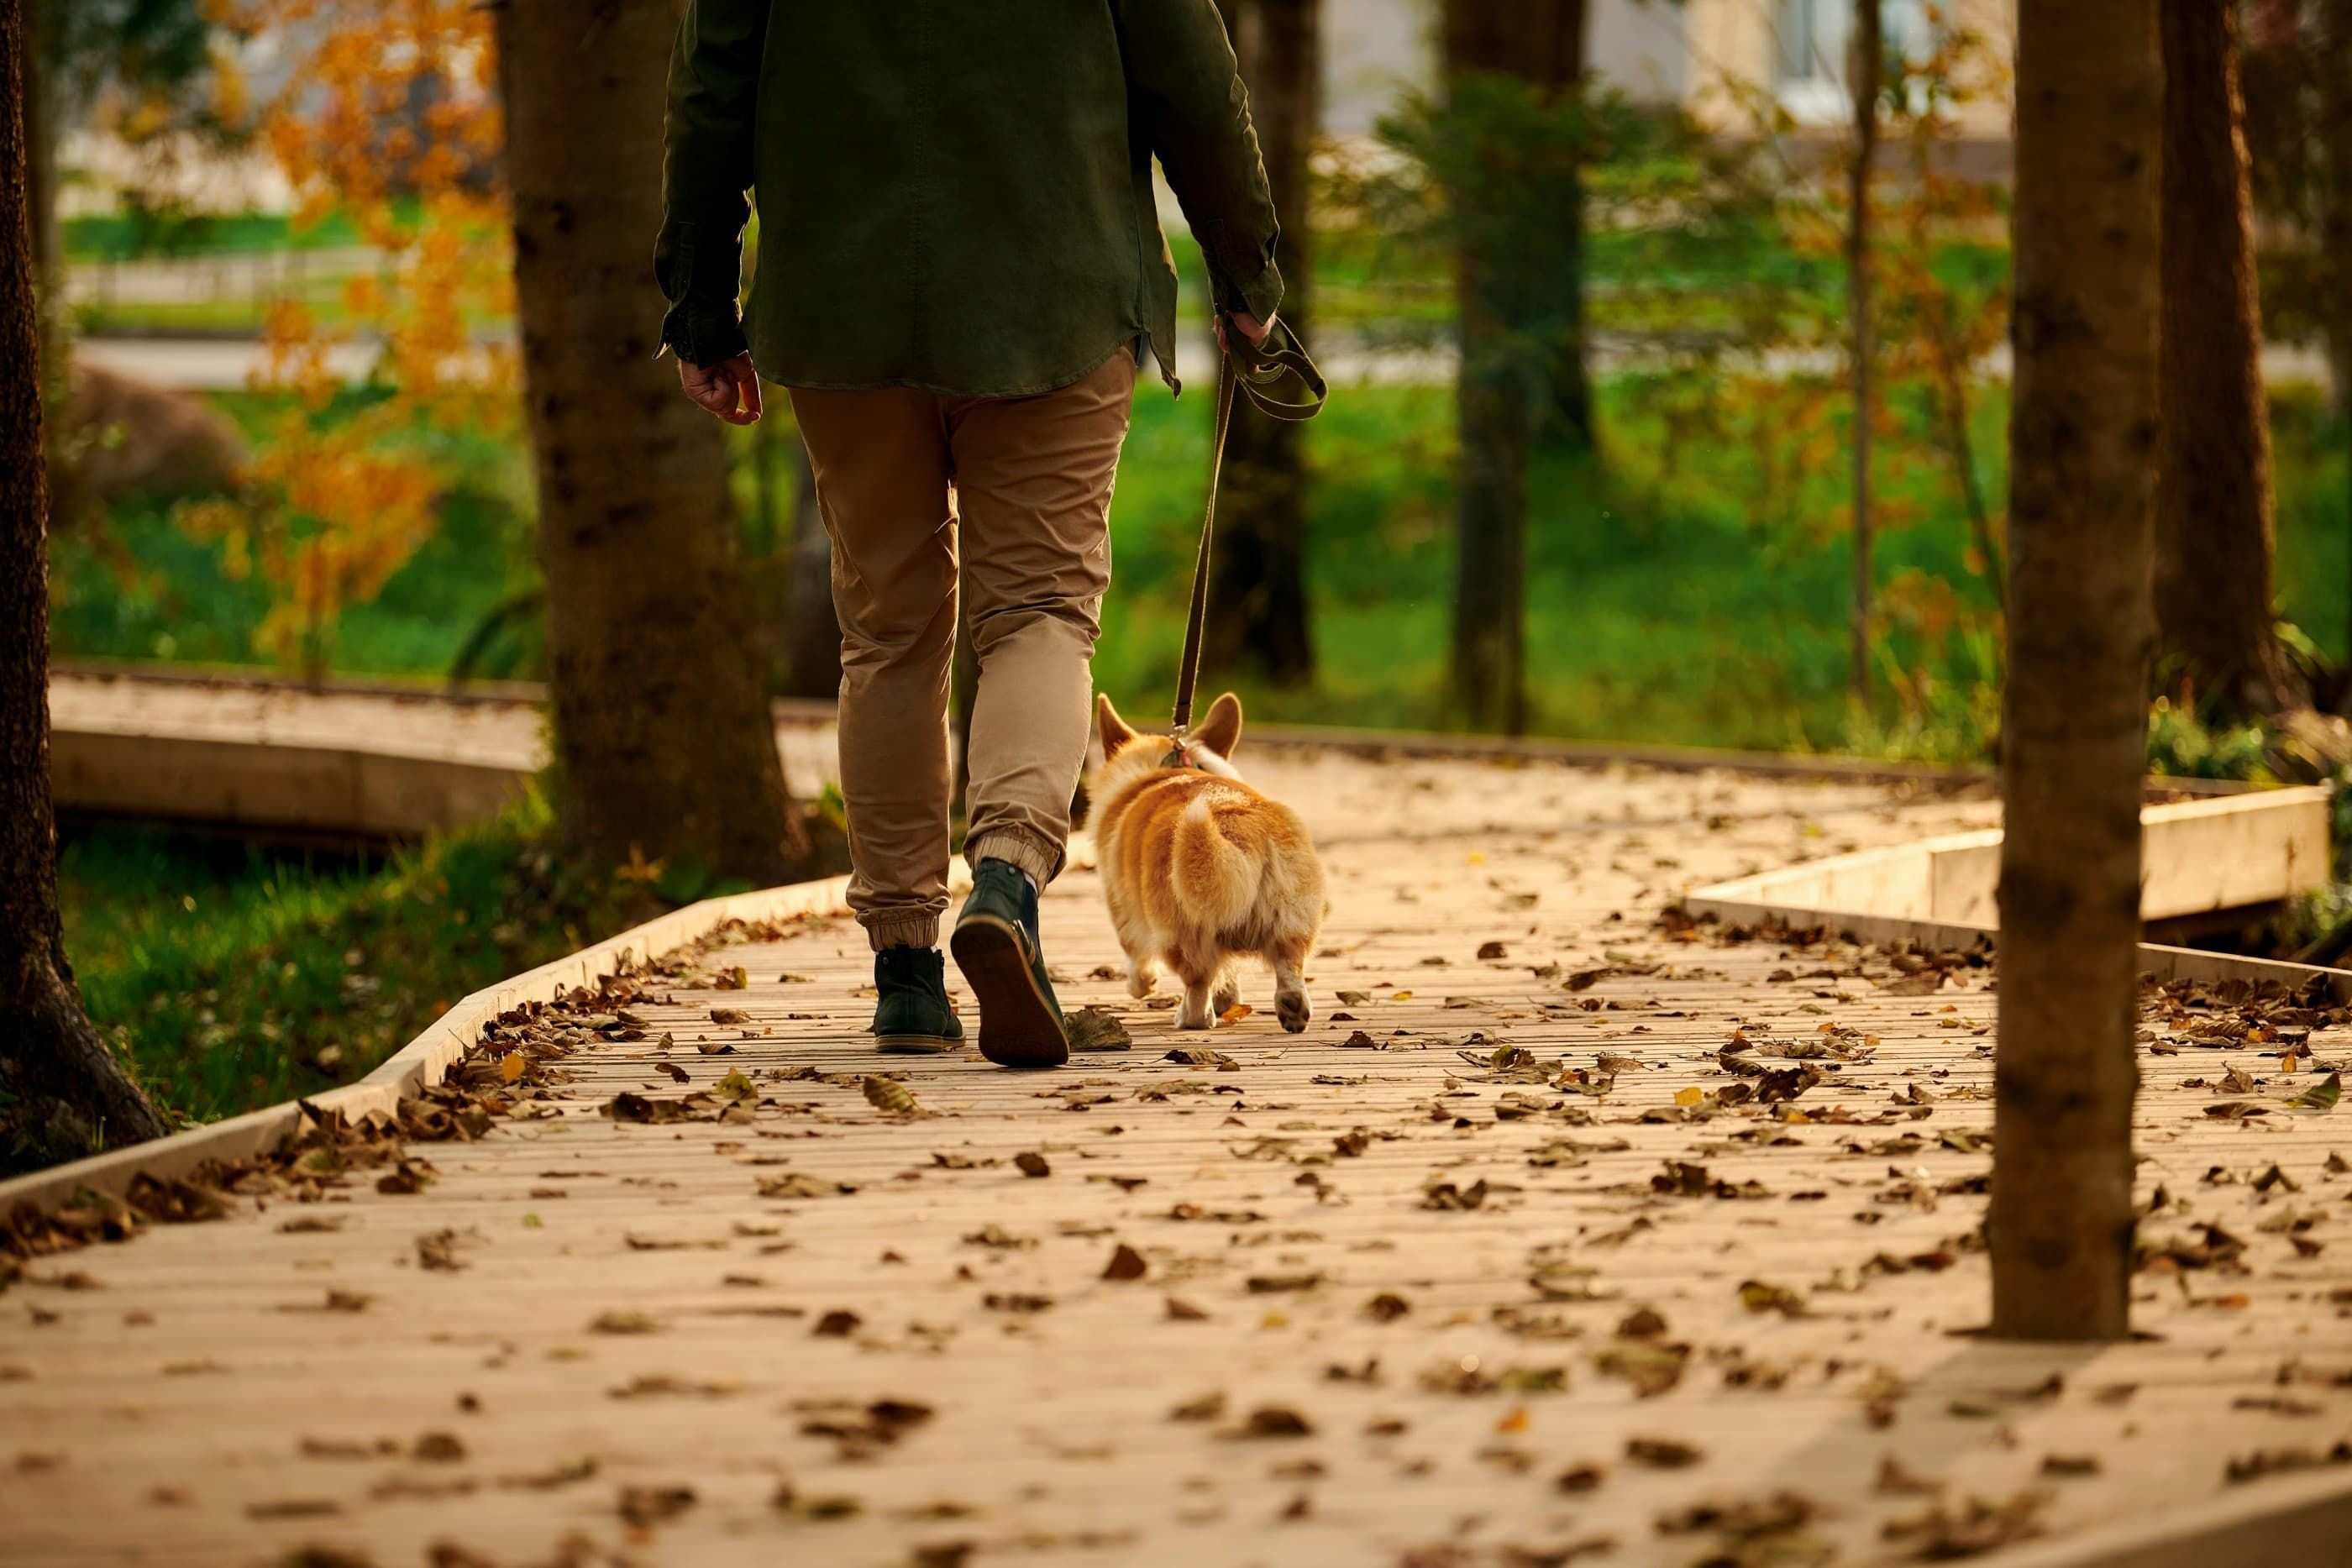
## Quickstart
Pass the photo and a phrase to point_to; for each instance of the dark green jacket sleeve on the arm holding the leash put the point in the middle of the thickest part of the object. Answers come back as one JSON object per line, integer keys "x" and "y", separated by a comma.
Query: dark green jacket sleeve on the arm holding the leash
{"x": 1189, "y": 100}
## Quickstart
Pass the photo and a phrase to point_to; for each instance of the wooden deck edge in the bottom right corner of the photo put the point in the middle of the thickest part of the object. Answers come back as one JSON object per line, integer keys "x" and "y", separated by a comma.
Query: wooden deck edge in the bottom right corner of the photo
{"x": 2294, "y": 1522}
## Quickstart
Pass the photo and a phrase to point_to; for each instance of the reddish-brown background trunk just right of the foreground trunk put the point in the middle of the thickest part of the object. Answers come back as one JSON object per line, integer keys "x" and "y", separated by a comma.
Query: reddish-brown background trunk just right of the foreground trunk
{"x": 2217, "y": 626}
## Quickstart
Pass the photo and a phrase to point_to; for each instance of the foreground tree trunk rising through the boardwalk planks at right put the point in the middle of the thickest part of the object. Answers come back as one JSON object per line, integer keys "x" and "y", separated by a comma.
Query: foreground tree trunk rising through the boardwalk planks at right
{"x": 2083, "y": 438}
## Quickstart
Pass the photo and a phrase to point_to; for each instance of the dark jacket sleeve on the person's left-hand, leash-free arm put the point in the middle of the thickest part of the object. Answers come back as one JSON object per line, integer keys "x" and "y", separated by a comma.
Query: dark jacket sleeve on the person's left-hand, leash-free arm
{"x": 707, "y": 168}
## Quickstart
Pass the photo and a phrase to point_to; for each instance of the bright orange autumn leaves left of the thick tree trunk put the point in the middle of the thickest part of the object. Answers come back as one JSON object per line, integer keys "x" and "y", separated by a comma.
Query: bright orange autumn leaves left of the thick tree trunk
{"x": 392, "y": 121}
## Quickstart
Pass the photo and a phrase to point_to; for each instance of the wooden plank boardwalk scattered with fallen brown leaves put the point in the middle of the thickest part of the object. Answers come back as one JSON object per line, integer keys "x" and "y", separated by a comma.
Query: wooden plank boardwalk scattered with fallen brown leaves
{"x": 1358, "y": 1296}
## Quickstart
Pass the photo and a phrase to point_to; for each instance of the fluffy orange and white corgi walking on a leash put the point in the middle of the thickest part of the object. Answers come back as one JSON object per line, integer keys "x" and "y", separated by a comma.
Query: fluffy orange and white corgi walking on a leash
{"x": 1201, "y": 869}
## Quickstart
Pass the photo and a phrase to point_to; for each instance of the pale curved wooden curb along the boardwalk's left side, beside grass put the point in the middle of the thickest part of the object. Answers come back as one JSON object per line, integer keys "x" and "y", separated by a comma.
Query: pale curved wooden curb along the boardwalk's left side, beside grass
{"x": 425, "y": 1059}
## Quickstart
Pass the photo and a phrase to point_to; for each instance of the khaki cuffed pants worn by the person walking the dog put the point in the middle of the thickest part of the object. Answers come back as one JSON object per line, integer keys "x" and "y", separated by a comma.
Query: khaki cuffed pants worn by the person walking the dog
{"x": 1027, "y": 483}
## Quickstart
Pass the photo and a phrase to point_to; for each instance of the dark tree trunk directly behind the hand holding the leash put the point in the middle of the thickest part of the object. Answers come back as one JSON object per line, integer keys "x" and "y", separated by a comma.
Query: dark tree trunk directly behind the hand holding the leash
{"x": 1259, "y": 612}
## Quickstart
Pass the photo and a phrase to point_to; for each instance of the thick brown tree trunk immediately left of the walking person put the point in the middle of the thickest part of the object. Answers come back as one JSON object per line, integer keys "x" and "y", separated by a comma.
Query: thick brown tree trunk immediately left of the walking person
{"x": 662, "y": 730}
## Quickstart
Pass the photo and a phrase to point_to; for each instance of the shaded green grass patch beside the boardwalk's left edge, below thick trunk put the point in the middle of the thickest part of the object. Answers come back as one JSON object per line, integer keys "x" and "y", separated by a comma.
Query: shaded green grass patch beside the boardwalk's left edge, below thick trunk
{"x": 232, "y": 977}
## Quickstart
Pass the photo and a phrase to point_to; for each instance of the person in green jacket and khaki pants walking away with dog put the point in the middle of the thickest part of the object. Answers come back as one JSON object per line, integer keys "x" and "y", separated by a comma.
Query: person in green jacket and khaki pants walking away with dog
{"x": 961, "y": 269}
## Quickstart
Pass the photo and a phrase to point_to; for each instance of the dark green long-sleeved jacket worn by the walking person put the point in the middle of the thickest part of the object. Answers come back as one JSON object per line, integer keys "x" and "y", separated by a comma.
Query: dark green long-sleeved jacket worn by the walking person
{"x": 954, "y": 194}
